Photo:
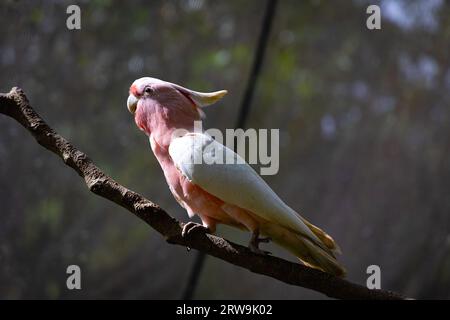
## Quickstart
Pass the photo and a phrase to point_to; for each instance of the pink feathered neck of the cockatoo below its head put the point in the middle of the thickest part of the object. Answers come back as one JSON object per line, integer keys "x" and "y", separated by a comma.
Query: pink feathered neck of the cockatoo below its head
{"x": 164, "y": 124}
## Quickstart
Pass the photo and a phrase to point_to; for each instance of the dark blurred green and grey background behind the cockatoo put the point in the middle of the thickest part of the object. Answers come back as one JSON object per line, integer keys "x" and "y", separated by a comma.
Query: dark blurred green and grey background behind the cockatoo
{"x": 363, "y": 117}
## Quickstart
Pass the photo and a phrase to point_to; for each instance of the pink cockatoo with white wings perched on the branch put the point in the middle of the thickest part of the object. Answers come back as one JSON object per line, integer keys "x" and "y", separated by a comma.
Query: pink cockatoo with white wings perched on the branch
{"x": 229, "y": 193}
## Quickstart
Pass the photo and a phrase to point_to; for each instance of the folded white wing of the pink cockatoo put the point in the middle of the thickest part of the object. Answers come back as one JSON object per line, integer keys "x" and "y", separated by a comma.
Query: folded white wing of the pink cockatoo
{"x": 224, "y": 174}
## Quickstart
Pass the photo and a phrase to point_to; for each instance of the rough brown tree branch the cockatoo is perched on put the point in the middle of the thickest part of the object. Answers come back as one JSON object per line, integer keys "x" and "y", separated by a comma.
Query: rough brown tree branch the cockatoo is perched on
{"x": 15, "y": 104}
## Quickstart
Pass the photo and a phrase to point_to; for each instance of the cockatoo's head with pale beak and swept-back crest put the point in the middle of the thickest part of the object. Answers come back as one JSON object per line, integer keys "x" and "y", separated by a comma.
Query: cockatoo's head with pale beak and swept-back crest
{"x": 150, "y": 92}
